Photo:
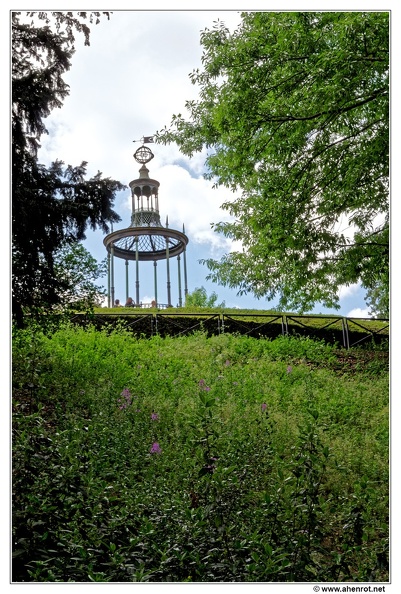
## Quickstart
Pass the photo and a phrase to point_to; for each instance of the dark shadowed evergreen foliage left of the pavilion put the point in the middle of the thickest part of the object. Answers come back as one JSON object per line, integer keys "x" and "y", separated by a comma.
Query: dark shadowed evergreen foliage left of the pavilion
{"x": 51, "y": 205}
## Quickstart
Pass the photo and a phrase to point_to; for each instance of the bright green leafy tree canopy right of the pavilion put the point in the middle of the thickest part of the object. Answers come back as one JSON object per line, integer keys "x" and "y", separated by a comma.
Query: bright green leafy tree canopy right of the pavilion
{"x": 293, "y": 112}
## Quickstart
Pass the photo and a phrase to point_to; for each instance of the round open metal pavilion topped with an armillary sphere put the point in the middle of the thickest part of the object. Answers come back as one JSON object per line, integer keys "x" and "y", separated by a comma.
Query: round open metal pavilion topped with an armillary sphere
{"x": 146, "y": 240}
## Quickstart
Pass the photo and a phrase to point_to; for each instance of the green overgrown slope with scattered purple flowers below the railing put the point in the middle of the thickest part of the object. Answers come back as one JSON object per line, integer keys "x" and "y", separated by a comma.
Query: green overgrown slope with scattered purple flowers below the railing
{"x": 197, "y": 459}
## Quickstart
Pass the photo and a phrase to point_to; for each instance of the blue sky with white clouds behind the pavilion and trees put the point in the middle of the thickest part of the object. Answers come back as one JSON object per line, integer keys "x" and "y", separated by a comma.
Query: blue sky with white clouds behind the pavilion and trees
{"x": 127, "y": 85}
